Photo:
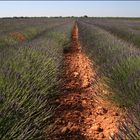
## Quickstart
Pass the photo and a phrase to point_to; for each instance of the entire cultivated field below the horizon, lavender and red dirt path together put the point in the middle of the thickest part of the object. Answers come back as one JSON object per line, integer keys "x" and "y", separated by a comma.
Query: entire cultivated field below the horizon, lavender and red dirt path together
{"x": 69, "y": 78}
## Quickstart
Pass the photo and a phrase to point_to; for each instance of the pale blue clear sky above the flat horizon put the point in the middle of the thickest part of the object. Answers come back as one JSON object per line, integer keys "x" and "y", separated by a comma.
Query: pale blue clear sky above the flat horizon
{"x": 70, "y": 8}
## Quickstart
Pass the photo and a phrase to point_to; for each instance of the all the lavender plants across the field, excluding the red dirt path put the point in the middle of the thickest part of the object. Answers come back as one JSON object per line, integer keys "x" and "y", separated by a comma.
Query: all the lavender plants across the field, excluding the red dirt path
{"x": 32, "y": 65}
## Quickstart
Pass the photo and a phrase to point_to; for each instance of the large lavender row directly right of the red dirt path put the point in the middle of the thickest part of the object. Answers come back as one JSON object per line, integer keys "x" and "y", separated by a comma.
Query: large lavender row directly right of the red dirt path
{"x": 119, "y": 66}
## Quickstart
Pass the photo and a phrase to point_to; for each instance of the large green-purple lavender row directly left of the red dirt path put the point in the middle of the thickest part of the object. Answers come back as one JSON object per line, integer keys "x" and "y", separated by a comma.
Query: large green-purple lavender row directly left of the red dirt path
{"x": 29, "y": 82}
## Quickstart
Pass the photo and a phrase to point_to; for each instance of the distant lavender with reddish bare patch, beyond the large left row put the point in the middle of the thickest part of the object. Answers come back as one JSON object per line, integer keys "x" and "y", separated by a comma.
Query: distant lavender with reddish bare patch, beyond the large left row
{"x": 14, "y": 31}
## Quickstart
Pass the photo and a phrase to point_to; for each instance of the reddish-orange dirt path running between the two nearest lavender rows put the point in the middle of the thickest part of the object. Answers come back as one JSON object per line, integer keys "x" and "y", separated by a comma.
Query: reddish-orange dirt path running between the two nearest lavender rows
{"x": 80, "y": 116}
